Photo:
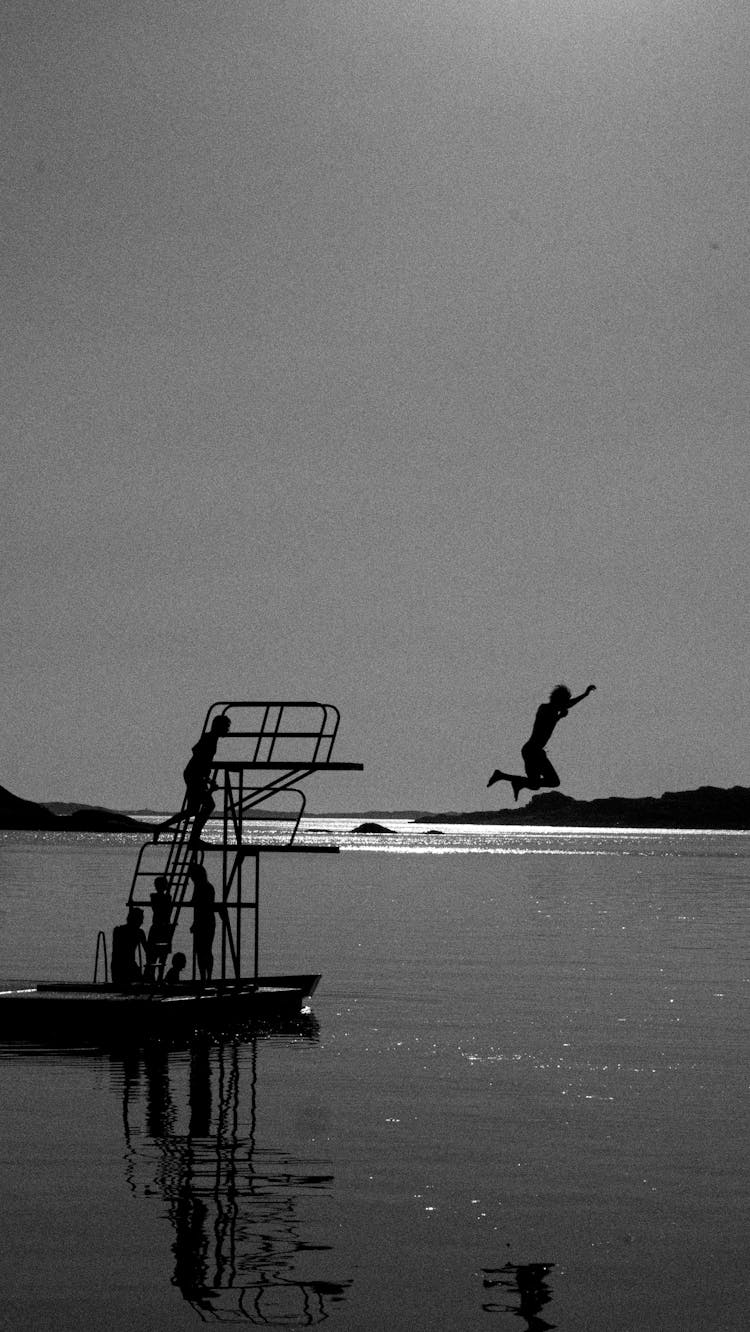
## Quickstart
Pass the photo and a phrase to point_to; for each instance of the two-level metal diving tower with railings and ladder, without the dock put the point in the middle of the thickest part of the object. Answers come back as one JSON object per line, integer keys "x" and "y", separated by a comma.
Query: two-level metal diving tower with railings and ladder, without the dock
{"x": 252, "y": 789}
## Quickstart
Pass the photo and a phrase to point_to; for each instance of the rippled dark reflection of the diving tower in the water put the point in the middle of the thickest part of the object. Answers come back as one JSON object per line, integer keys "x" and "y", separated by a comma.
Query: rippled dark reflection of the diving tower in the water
{"x": 240, "y": 1251}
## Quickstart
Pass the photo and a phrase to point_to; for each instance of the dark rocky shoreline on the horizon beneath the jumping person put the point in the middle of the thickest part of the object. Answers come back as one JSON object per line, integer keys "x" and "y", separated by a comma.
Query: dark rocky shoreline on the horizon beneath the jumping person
{"x": 707, "y": 808}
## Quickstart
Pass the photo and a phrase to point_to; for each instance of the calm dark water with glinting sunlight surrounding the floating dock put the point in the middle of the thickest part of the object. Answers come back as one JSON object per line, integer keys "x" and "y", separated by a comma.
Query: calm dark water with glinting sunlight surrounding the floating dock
{"x": 527, "y": 1049}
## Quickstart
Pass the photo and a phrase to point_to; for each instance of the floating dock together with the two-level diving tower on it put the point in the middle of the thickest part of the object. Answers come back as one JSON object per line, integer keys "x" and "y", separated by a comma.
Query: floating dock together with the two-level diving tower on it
{"x": 259, "y": 753}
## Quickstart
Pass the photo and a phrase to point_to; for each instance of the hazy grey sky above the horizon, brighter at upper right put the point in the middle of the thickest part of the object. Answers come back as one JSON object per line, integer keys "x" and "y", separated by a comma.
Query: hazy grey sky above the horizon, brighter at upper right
{"x": 387, "y": 355}
